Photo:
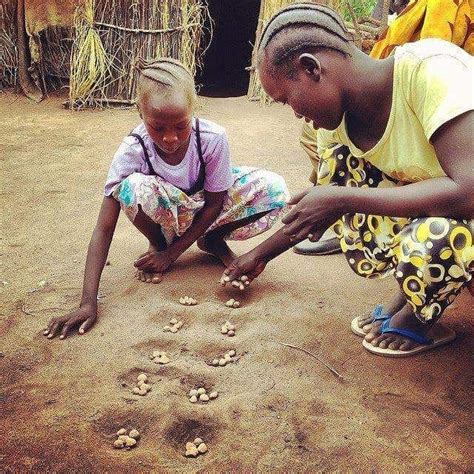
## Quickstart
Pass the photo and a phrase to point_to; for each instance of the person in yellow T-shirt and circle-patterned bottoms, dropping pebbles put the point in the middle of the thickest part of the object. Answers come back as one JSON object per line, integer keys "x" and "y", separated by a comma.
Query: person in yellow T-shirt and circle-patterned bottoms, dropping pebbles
{"x": 396, "y": 141}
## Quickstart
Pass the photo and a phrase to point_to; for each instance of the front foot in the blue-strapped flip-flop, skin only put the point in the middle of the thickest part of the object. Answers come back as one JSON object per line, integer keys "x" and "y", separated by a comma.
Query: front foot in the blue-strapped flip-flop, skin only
{"x": 403, "y": 319}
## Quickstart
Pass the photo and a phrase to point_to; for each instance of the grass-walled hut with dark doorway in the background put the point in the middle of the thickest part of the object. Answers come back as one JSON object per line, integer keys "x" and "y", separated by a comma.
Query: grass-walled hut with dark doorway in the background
{"x": 92, "y": 46}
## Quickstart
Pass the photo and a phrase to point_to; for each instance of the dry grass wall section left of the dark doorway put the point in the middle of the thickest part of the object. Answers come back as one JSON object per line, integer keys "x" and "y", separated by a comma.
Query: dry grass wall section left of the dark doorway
{"x": 115, "y": 34}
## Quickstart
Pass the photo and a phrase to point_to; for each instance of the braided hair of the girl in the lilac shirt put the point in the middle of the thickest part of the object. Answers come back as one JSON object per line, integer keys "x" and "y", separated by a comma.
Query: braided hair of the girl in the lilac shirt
{"x": 162, "y": 76}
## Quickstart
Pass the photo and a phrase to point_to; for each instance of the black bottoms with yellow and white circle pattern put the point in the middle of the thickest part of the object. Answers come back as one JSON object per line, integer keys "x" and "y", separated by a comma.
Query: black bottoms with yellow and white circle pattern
{"x": 431, "y": 257}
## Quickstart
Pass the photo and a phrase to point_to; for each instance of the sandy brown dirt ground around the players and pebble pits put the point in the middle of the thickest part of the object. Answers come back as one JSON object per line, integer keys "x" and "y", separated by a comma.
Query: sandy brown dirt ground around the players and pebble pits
{"x": 278, "y": 409}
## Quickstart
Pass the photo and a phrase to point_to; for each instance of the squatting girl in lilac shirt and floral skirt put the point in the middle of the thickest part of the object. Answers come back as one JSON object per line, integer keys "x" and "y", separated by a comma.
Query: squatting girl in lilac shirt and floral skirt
{"x": 173, "y": 178}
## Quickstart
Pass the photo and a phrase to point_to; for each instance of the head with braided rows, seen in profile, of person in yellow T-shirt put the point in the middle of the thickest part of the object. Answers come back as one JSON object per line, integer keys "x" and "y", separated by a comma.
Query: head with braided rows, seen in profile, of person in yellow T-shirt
{"x": 304, "y": 58}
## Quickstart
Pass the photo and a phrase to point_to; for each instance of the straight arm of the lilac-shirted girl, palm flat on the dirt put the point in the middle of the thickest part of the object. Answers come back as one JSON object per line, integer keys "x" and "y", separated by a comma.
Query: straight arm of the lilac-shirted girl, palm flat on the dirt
{"x": 99, "y": 246}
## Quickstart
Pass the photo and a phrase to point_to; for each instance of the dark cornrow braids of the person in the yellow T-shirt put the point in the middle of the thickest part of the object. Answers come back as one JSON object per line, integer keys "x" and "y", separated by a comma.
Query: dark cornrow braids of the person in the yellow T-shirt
{"x": 300, "y": 28}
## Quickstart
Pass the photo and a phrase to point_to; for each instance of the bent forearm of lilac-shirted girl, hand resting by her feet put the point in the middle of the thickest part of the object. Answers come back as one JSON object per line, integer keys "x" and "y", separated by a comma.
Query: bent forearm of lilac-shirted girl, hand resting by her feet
{"x": 159, "y": 262}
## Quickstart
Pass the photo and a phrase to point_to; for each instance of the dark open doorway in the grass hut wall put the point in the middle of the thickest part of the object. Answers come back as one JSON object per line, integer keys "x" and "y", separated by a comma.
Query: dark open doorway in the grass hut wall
{"x": 223, "y": 73}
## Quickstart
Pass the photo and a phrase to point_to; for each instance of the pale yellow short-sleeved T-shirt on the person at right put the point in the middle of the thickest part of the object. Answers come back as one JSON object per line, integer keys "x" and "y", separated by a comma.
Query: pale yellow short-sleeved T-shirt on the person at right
{"x": 433, "y": 83}
